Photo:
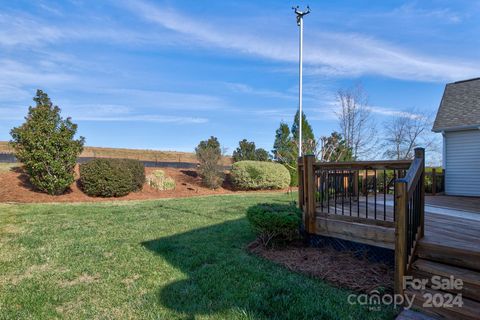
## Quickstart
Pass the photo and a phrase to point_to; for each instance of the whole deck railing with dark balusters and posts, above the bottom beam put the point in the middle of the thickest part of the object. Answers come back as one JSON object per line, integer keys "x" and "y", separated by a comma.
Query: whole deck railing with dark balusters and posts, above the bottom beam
{"x": 344, "y": 188}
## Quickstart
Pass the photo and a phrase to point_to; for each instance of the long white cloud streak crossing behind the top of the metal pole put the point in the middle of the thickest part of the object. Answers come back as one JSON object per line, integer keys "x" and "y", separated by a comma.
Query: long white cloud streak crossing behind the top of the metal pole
{"x": 330, "y": 53}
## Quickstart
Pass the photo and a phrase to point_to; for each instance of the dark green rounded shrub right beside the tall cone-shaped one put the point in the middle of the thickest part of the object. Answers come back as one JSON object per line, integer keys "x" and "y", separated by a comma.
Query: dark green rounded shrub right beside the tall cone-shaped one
{"x": 111, "y": 177}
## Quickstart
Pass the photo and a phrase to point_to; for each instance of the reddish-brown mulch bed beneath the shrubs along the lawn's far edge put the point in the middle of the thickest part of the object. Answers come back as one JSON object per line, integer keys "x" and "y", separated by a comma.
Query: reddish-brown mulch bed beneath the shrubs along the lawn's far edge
{"x": 16, "y": 188}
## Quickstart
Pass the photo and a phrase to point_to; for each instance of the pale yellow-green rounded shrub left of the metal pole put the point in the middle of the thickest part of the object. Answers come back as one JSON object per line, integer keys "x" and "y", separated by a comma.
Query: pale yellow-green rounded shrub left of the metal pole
{"x": 257, "y": 175}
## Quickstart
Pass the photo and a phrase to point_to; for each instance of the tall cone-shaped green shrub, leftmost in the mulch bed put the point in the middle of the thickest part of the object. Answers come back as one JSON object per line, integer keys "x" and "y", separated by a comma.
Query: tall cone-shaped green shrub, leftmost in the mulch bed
{"x": 45, "y": 145}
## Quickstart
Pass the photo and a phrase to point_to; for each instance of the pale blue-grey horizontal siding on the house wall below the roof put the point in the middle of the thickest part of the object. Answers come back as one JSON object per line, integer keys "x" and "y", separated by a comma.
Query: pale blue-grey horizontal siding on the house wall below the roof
{"x": 462, "y": 163}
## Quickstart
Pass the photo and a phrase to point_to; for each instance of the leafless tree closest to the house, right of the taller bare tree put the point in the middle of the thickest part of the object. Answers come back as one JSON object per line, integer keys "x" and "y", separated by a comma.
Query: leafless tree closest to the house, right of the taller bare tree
{"x": 406, "y": 131}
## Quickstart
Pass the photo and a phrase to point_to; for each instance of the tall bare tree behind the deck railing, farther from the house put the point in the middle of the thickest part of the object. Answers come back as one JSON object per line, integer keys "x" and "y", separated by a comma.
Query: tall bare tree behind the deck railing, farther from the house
{"x": 356, "y": 122}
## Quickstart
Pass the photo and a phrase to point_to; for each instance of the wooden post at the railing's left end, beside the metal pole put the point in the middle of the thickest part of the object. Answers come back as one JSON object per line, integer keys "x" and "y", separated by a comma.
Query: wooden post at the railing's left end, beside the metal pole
{"x": 309, "y": 192}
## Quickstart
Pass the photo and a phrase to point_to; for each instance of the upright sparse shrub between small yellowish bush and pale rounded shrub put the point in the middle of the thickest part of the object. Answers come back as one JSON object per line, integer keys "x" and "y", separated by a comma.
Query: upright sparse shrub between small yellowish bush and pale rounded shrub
{"x": 209, "y": 155}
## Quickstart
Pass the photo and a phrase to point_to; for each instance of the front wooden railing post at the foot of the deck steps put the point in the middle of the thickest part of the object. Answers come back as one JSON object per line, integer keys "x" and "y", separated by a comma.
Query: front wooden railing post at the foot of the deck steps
{"x": 401, "y": 198}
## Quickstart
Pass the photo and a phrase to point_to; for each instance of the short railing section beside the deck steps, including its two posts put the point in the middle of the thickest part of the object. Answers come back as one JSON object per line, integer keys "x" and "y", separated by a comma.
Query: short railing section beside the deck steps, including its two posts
{"x": 410, "y": 216}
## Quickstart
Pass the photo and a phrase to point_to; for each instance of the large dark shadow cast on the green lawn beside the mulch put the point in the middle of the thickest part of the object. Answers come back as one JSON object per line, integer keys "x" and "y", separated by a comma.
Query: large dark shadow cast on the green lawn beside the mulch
{"x": 223, "y": 279}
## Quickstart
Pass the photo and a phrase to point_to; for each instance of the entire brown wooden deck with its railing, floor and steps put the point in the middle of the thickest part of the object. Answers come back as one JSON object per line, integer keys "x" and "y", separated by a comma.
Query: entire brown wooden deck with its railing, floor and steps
{"x": 430, "y": 236}
